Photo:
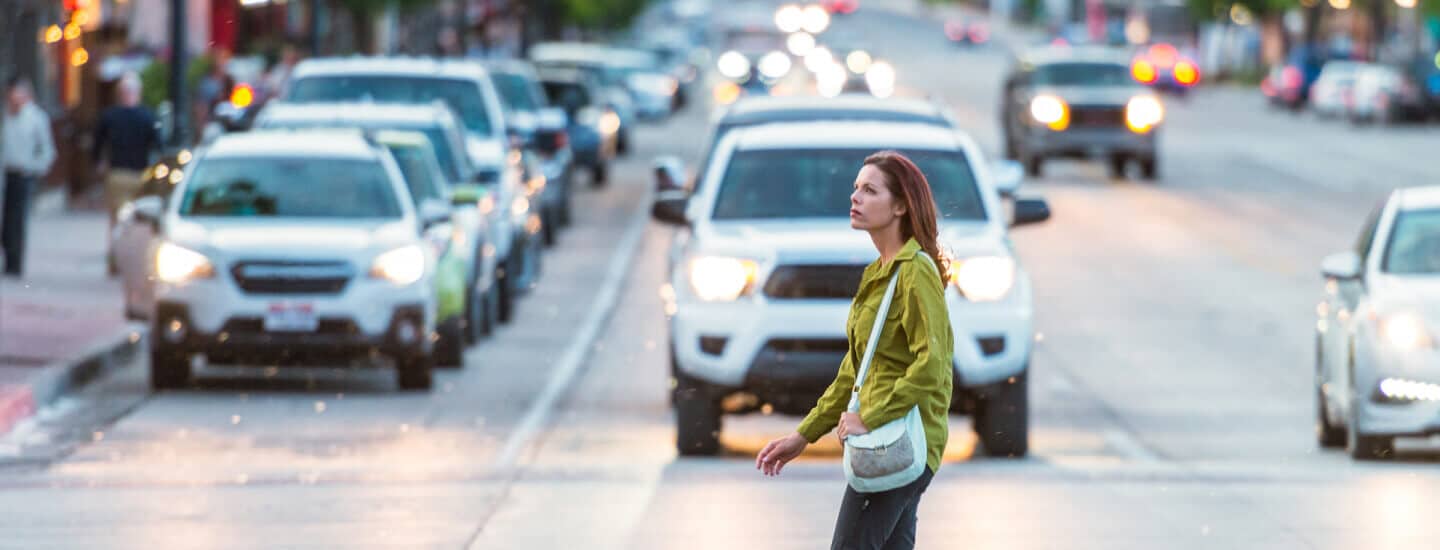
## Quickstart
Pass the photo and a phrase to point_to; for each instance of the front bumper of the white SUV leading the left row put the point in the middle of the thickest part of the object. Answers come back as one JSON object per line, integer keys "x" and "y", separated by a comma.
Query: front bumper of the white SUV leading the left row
{"x": 215, "y": 317}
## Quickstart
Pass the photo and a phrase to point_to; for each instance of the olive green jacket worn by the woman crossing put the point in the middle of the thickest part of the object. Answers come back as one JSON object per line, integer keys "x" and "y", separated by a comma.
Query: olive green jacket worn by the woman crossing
{"x": 912, "y": 366}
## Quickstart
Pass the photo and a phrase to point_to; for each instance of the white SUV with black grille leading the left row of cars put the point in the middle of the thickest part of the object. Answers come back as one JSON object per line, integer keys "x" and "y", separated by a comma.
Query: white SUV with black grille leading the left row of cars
{"x": 287, "y": 248}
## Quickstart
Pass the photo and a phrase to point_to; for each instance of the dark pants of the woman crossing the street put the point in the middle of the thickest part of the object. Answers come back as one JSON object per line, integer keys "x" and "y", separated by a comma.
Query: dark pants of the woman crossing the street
{"x": 881, "y": 520}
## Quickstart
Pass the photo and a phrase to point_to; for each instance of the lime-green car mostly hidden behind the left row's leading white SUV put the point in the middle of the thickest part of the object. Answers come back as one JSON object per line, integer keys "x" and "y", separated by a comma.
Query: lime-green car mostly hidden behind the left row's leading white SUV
{"x": 457, "y": 319}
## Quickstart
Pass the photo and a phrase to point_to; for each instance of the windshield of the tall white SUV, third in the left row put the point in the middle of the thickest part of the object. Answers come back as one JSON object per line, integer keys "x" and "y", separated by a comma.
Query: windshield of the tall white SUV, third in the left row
{"x": 460, "y": 94}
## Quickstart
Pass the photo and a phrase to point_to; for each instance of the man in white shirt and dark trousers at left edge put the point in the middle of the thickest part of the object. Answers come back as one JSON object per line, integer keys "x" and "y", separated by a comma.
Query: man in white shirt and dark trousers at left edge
{"x": 27, "y": 156}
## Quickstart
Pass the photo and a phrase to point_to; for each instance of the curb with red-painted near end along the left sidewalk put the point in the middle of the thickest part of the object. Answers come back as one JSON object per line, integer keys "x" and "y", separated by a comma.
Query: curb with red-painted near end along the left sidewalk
{"x": 64, "y": 377}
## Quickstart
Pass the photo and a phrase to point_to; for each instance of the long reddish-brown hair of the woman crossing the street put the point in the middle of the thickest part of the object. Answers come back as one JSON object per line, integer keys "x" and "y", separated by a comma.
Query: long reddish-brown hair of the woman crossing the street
{"x": 906, "y": 182}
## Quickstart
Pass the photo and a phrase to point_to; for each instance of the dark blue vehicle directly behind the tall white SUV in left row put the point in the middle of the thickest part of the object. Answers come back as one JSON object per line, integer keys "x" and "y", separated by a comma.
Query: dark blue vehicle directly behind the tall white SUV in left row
{"x": 542, "y": 129}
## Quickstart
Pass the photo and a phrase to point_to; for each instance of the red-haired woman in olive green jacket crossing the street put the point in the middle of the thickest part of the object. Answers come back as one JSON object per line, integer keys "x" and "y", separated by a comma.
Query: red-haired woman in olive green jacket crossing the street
{"x": 911, "y": 364}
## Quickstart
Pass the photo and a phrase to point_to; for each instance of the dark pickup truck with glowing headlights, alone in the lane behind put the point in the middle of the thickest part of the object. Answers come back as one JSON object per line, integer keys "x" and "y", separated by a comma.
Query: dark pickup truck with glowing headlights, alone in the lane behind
{"x": 1078, "y": 103}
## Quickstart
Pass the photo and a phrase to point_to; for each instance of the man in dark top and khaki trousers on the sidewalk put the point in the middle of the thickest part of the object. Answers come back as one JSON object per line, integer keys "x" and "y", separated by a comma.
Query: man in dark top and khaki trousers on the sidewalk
{"x": 125, "y": 143}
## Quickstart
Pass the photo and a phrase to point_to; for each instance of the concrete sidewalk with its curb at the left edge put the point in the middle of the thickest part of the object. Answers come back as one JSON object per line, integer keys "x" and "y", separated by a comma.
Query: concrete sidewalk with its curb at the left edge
{"x": 63, "y": 323}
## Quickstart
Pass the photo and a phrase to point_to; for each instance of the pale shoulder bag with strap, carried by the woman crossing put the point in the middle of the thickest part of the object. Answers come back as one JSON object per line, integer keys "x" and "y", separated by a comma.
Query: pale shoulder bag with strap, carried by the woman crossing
{"x": 892, "y": 456}
